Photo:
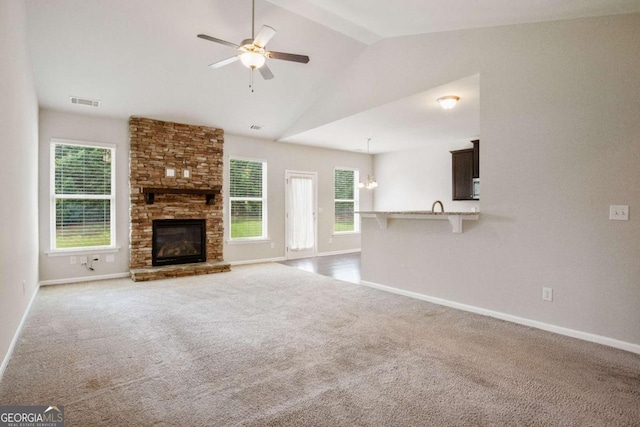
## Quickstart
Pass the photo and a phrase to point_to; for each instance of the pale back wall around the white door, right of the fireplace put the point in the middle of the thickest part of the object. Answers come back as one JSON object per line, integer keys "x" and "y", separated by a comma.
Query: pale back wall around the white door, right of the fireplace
{"x": 281, "y": 157}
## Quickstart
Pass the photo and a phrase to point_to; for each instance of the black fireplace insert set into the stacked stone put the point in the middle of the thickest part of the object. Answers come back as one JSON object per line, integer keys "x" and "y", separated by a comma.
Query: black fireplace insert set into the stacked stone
{"x": 178, "y": 241}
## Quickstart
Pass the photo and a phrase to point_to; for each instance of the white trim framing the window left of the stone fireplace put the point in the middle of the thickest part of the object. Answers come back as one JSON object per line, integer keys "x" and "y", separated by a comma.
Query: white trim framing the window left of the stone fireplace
{"x": 53, "y": 197}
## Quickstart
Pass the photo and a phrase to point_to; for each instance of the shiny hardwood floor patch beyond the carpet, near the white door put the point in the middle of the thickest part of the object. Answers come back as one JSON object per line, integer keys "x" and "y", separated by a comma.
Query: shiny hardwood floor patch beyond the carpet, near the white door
{"x": 344, "y": 267}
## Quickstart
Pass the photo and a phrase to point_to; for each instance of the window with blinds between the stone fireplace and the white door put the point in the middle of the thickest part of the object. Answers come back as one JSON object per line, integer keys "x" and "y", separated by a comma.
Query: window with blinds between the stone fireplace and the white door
{"x": 248, "y": 199}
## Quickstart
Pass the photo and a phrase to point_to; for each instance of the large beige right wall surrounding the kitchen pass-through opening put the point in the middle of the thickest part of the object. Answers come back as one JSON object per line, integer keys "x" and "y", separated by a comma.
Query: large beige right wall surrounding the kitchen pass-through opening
{"x": 560, "y": 142}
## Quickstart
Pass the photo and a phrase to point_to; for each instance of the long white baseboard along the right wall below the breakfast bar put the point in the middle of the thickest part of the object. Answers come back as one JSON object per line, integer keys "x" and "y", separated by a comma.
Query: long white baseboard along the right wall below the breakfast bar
{"x": 585, "y": 336}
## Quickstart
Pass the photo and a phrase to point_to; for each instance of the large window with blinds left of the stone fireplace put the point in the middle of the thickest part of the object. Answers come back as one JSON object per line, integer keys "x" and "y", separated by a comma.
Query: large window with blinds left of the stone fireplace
{"x": 82, "y": 195}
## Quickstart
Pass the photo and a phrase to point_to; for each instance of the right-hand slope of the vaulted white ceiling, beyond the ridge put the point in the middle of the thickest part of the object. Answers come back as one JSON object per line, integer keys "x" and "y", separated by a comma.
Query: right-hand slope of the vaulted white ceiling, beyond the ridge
{"x": 368, "y": 21}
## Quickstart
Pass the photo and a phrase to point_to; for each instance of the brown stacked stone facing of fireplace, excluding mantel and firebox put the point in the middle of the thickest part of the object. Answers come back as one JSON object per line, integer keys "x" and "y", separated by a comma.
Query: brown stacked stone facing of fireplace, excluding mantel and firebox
{"x": 155, "y": 146}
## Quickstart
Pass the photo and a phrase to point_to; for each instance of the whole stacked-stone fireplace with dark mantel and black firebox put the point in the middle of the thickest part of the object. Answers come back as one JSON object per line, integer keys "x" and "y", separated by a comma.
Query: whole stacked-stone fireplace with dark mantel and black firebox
{"x": 175, "y": 174}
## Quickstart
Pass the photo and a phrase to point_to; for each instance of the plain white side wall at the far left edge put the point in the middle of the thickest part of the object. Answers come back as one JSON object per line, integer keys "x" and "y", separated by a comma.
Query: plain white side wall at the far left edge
{"x": 19, "y": 192}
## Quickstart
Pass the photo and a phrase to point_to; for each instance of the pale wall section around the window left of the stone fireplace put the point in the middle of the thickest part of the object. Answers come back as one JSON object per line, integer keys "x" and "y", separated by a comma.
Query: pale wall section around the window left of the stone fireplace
{"x": 55, "y": 124}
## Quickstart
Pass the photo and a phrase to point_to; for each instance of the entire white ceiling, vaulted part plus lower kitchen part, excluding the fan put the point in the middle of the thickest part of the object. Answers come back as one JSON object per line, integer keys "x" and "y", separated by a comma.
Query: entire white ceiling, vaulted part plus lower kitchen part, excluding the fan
{"x": 142, "y": 57}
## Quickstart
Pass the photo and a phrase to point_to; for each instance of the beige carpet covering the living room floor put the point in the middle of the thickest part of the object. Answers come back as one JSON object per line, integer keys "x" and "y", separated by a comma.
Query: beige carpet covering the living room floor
{"x": 272, "y": 345}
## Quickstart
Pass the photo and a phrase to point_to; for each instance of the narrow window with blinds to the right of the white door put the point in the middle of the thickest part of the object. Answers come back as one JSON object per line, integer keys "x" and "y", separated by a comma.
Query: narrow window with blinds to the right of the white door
{"x": 346, "y": 201}
